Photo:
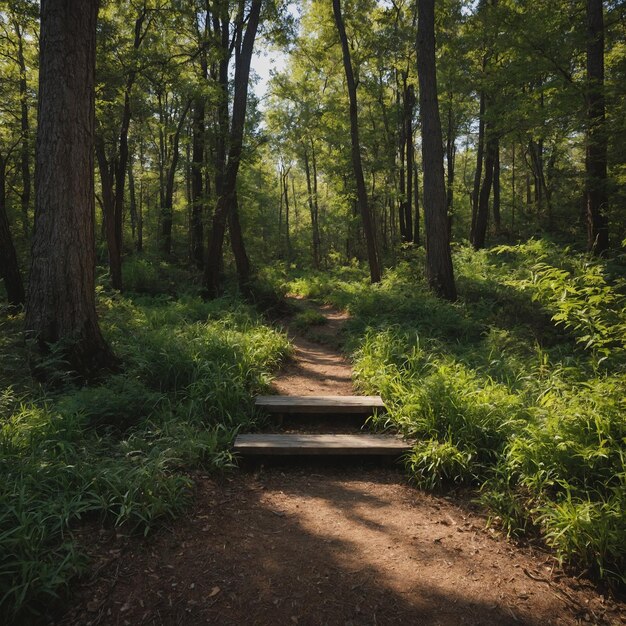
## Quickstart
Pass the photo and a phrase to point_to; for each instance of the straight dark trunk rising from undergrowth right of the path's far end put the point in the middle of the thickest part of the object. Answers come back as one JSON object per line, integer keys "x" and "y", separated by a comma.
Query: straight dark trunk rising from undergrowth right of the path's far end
{"x": 439, "y": 270}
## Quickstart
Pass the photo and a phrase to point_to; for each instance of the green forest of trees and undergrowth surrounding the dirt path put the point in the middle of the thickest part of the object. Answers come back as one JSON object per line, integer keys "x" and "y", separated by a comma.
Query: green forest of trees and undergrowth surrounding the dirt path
{"x": 452, "y": 174}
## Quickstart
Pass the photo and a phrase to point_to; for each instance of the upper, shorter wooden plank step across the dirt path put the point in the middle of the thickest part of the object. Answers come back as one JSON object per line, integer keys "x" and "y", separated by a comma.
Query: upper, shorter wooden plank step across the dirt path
{"x": 320, "y": 404}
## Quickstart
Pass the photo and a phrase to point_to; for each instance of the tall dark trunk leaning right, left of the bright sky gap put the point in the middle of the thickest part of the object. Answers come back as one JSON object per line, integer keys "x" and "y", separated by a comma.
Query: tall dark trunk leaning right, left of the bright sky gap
{"x": 227, "y": 194}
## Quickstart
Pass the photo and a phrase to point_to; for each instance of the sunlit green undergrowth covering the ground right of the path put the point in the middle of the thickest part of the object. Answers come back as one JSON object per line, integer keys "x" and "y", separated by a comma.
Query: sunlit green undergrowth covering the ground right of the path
{"x": 518, "y": 388}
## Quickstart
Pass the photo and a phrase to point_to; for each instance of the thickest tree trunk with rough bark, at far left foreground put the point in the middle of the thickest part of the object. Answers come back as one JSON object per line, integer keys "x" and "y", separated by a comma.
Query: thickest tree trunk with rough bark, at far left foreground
{"x": 61, "y": 296}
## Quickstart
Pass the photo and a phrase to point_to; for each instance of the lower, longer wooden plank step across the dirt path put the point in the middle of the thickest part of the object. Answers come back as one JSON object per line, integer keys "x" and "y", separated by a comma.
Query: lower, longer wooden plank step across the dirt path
{"x": 323, "y": 444}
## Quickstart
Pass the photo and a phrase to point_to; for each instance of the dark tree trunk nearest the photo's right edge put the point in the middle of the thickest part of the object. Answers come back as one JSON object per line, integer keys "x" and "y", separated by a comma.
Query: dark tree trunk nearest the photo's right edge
{"x": 596, "y": 152}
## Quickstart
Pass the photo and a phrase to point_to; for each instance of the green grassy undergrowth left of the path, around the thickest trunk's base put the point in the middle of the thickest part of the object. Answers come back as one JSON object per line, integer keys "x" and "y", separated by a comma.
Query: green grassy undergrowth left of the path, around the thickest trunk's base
{"x": 119, "y": 453}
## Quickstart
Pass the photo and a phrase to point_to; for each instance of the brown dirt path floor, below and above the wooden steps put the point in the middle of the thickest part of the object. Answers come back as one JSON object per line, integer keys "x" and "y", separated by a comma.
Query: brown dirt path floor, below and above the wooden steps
{"x": 341, "y": 544}
